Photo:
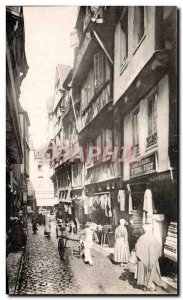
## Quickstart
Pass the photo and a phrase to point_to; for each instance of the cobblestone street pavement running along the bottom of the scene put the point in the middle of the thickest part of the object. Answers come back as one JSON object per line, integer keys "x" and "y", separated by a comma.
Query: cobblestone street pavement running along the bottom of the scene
{"x": 44, "y": 272}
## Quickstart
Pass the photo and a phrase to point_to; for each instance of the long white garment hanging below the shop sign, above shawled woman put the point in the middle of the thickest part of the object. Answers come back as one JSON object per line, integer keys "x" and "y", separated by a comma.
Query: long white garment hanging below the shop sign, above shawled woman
{"x": 148, "y": 206}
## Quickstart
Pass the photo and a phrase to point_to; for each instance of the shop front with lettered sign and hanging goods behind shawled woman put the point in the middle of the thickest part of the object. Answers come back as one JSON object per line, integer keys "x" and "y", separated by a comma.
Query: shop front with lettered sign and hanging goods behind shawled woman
{"x": 154, "y": 200}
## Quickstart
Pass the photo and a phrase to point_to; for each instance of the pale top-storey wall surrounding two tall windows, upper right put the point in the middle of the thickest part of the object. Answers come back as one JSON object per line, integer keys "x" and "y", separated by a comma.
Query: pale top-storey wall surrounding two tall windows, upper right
{"x": 138, "y": 56}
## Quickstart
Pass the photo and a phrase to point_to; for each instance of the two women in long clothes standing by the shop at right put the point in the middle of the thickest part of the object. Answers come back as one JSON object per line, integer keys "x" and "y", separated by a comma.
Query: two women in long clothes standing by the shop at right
{"x": 147, "y": 251}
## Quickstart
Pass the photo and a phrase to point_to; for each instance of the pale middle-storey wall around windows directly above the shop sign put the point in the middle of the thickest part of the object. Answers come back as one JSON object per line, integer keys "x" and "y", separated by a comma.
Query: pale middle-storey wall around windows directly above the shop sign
{"x": 162, "y": 129}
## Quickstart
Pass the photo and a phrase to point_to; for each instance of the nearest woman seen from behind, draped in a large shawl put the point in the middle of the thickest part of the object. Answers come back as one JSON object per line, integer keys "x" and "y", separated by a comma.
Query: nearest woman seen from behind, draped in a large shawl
{"x": 148, "y": 251}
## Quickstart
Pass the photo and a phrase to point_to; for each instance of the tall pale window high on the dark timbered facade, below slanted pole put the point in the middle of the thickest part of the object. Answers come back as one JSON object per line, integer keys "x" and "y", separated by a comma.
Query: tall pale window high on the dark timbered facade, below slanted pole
{"x": 99, "y": 69}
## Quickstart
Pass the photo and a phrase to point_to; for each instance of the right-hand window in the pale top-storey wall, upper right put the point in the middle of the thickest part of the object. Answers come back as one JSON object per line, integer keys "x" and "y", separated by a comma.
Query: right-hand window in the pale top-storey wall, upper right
{"x": 139, "y": 24}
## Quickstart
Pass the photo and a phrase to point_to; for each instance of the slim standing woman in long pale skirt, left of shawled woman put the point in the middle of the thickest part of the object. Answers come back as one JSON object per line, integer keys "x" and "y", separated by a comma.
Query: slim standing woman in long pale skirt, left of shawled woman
{"x": 121, "y": 246}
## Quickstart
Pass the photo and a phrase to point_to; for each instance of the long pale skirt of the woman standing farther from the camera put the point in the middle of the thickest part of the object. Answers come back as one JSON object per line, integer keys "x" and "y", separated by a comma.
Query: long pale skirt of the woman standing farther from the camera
{"x": 121, "y": 251}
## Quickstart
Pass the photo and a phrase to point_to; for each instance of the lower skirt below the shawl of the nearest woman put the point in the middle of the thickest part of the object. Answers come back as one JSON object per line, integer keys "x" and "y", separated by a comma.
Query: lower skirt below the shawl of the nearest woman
{"x": 148, "y": 277}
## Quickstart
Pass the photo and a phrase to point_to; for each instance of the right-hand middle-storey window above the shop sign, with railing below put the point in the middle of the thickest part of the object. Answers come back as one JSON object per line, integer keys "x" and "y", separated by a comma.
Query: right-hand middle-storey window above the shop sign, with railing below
{"x": 152, "y": 114}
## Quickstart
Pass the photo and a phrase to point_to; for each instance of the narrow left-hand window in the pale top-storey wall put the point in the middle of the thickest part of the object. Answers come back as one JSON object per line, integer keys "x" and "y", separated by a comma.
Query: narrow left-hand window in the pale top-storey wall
{"x": 124, "y": 38}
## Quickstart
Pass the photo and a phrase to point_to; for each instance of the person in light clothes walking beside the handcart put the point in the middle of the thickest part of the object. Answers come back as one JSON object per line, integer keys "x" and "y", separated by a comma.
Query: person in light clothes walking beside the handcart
{"x": 87, "y": 237}
